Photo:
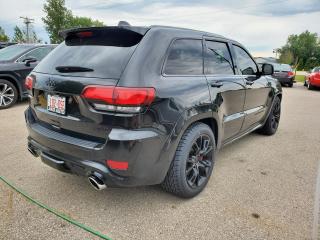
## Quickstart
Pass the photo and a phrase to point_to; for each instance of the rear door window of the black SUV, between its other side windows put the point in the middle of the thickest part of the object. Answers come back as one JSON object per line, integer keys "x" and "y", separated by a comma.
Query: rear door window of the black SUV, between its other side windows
{"x": 217, "y": 58}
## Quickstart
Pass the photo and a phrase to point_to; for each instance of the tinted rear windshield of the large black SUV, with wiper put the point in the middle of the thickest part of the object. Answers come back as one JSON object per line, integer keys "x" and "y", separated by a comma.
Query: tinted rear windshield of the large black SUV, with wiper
{"x": 103, "y": 54}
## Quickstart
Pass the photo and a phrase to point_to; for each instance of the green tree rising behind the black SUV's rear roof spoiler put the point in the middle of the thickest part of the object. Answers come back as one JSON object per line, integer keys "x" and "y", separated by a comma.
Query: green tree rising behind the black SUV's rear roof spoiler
{"x": 58, "y": 17}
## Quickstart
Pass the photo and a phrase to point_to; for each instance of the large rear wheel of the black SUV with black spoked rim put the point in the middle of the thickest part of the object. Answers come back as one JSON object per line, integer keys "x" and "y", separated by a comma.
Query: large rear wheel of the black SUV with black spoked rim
{"x": 190, "y": 170}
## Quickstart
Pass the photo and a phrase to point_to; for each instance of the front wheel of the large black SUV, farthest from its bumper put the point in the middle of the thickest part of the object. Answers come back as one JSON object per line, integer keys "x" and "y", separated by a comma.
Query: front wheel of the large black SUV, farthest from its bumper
{"x": 271, "y": 125}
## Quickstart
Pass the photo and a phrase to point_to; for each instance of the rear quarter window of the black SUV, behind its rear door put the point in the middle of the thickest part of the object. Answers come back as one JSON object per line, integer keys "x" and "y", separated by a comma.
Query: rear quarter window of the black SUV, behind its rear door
{"x": 185, "y": 58}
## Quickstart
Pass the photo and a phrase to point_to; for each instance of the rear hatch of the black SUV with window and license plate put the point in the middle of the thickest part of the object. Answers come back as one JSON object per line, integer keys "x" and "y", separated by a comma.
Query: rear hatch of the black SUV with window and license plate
{"x": 90, "y": 56}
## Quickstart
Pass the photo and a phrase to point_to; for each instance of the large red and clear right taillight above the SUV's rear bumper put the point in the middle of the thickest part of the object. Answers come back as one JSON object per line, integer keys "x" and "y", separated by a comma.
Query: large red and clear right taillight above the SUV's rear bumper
{"x": 119, "y": 99}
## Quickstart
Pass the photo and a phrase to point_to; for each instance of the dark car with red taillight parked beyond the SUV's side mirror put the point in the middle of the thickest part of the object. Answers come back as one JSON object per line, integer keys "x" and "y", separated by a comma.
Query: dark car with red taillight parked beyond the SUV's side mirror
{"x": 284, "y": 73}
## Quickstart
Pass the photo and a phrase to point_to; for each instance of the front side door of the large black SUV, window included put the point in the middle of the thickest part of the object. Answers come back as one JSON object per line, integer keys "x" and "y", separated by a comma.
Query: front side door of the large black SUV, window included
{"x": 257, "y": 88}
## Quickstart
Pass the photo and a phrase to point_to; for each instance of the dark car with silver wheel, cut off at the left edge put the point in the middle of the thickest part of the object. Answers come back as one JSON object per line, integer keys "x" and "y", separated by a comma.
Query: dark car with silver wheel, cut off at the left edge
{"x": 16, "y": 62}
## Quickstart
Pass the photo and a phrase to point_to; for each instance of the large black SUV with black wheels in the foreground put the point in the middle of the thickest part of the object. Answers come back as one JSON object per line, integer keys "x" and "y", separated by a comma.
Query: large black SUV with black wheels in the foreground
{"x": 130, "y": 106}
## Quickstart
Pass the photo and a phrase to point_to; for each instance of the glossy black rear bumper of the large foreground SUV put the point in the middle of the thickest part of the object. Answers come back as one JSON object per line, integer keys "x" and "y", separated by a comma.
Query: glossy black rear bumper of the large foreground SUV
{"x": 140, "y": 148}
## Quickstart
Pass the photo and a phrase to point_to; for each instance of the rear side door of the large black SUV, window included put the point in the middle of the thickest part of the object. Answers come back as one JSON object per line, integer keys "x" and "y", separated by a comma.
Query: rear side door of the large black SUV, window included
{"x": 227, "y": 89}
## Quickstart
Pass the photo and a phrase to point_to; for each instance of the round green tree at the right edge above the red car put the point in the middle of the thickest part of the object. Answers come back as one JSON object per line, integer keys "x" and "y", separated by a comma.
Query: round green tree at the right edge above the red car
{"x": 302, "y": 51}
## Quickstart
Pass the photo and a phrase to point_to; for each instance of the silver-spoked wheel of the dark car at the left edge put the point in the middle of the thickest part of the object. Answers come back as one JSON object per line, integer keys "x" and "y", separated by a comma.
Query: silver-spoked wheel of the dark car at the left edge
{"x": 8, "y": 94}
